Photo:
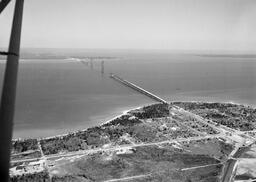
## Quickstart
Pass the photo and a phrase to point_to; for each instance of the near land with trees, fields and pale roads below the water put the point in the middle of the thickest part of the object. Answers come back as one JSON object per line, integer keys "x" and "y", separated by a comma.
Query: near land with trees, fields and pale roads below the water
{"x": 179, "y": 141}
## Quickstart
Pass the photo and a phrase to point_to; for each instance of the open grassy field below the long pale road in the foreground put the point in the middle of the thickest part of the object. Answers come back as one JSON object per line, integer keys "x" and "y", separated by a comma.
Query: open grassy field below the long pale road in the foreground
{"x": 158, "y": 163}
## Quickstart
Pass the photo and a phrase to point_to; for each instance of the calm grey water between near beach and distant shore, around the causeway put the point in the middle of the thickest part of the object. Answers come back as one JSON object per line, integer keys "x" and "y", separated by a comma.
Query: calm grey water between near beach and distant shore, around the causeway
{"x": 58, "y": 96}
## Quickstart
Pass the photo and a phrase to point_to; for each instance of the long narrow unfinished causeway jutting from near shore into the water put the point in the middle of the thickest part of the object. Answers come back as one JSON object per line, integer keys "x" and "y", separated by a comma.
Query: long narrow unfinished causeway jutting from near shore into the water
{"x": 138, "y": 89}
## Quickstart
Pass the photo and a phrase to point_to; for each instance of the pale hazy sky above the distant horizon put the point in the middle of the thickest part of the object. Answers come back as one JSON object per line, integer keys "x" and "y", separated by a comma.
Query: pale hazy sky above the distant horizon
{"x": 136, "y": 24}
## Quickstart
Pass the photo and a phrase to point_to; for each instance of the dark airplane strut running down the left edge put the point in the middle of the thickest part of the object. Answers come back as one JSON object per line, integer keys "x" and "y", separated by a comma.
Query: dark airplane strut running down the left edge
{"x": 7, "y": 105}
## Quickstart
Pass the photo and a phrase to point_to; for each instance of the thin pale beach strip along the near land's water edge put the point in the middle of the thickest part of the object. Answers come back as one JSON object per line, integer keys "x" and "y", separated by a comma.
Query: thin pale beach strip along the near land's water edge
{"x": 124, "y": 112}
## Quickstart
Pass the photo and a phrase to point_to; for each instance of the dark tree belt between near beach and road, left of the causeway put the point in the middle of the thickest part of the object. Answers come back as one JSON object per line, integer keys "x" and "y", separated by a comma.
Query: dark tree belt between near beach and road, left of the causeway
{"x": 97, "y": 136}
